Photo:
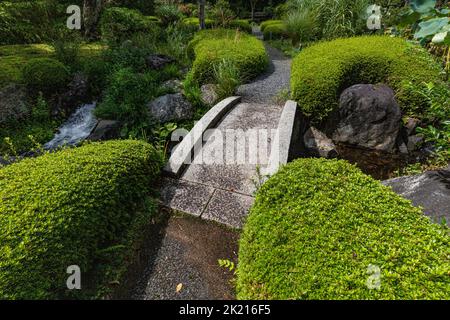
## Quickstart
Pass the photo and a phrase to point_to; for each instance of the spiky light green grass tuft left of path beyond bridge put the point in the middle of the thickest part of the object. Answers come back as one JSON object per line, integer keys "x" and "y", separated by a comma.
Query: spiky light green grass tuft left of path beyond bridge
{"x": 227, "y": 79}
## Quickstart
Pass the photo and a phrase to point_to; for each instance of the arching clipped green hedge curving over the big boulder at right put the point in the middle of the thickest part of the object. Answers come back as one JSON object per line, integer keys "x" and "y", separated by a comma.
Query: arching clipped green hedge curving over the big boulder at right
{"x": 321, "y": 72}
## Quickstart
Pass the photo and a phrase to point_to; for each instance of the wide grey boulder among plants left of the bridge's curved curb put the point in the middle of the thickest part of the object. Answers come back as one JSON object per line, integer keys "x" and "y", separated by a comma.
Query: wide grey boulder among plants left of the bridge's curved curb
{"x": 171, "y": 107}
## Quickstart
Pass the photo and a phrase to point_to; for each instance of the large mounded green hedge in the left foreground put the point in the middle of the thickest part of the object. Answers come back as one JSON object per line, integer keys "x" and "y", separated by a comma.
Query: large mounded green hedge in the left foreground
{"x": 63, "y": 208}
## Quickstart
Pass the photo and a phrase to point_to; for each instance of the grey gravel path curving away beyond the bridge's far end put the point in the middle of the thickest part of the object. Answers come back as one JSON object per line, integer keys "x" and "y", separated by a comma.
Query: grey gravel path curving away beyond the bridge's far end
{"x": 268, "y": 85}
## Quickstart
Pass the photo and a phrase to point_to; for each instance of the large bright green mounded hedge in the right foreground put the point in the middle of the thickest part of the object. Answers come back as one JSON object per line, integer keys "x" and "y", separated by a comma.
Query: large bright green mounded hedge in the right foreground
{"x": 318, "y": 224}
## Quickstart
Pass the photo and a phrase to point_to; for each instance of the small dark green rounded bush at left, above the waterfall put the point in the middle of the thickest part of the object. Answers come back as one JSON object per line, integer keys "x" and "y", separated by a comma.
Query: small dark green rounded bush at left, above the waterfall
{"x": 45, "y": 74}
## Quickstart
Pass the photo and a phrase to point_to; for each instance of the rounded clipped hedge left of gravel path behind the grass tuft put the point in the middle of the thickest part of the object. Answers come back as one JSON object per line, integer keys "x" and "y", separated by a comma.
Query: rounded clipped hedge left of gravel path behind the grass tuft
{"x": 213, "y": 46}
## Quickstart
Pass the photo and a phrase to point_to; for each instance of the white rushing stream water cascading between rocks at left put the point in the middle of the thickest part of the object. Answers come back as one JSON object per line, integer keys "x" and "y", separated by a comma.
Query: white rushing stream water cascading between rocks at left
{"x": 77, "y": 128}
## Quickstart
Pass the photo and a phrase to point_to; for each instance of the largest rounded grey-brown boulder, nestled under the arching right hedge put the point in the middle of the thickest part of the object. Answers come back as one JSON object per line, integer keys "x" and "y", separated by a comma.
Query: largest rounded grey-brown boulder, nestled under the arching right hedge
{"x": 368, "y": 117}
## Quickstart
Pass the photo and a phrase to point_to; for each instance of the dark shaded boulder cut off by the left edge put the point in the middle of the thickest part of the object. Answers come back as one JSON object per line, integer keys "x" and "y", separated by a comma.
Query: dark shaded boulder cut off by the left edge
{"x": 13, "y": 103}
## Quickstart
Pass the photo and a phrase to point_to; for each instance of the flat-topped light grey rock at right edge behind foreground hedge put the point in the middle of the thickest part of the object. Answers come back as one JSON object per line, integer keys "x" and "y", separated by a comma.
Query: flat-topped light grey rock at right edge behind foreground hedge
{"x": 429, "y": 190}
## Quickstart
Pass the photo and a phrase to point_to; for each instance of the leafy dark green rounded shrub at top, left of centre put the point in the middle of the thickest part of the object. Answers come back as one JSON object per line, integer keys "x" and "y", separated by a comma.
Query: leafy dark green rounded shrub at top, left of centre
{"x": 119, "y": 24}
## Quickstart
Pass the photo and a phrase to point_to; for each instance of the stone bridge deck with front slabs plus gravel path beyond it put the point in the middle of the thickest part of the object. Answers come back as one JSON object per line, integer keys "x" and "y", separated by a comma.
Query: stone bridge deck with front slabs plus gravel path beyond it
{"x": 223, "y": 189}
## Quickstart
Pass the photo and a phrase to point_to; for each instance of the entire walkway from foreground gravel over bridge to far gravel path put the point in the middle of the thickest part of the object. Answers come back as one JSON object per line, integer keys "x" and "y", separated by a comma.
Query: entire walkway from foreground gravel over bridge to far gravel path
{"x": 185, "y": 263}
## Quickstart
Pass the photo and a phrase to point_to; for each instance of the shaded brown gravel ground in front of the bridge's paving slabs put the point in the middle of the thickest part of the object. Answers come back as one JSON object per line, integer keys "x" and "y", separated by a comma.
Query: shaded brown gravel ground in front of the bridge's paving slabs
{"x": 187, "y": 254}
